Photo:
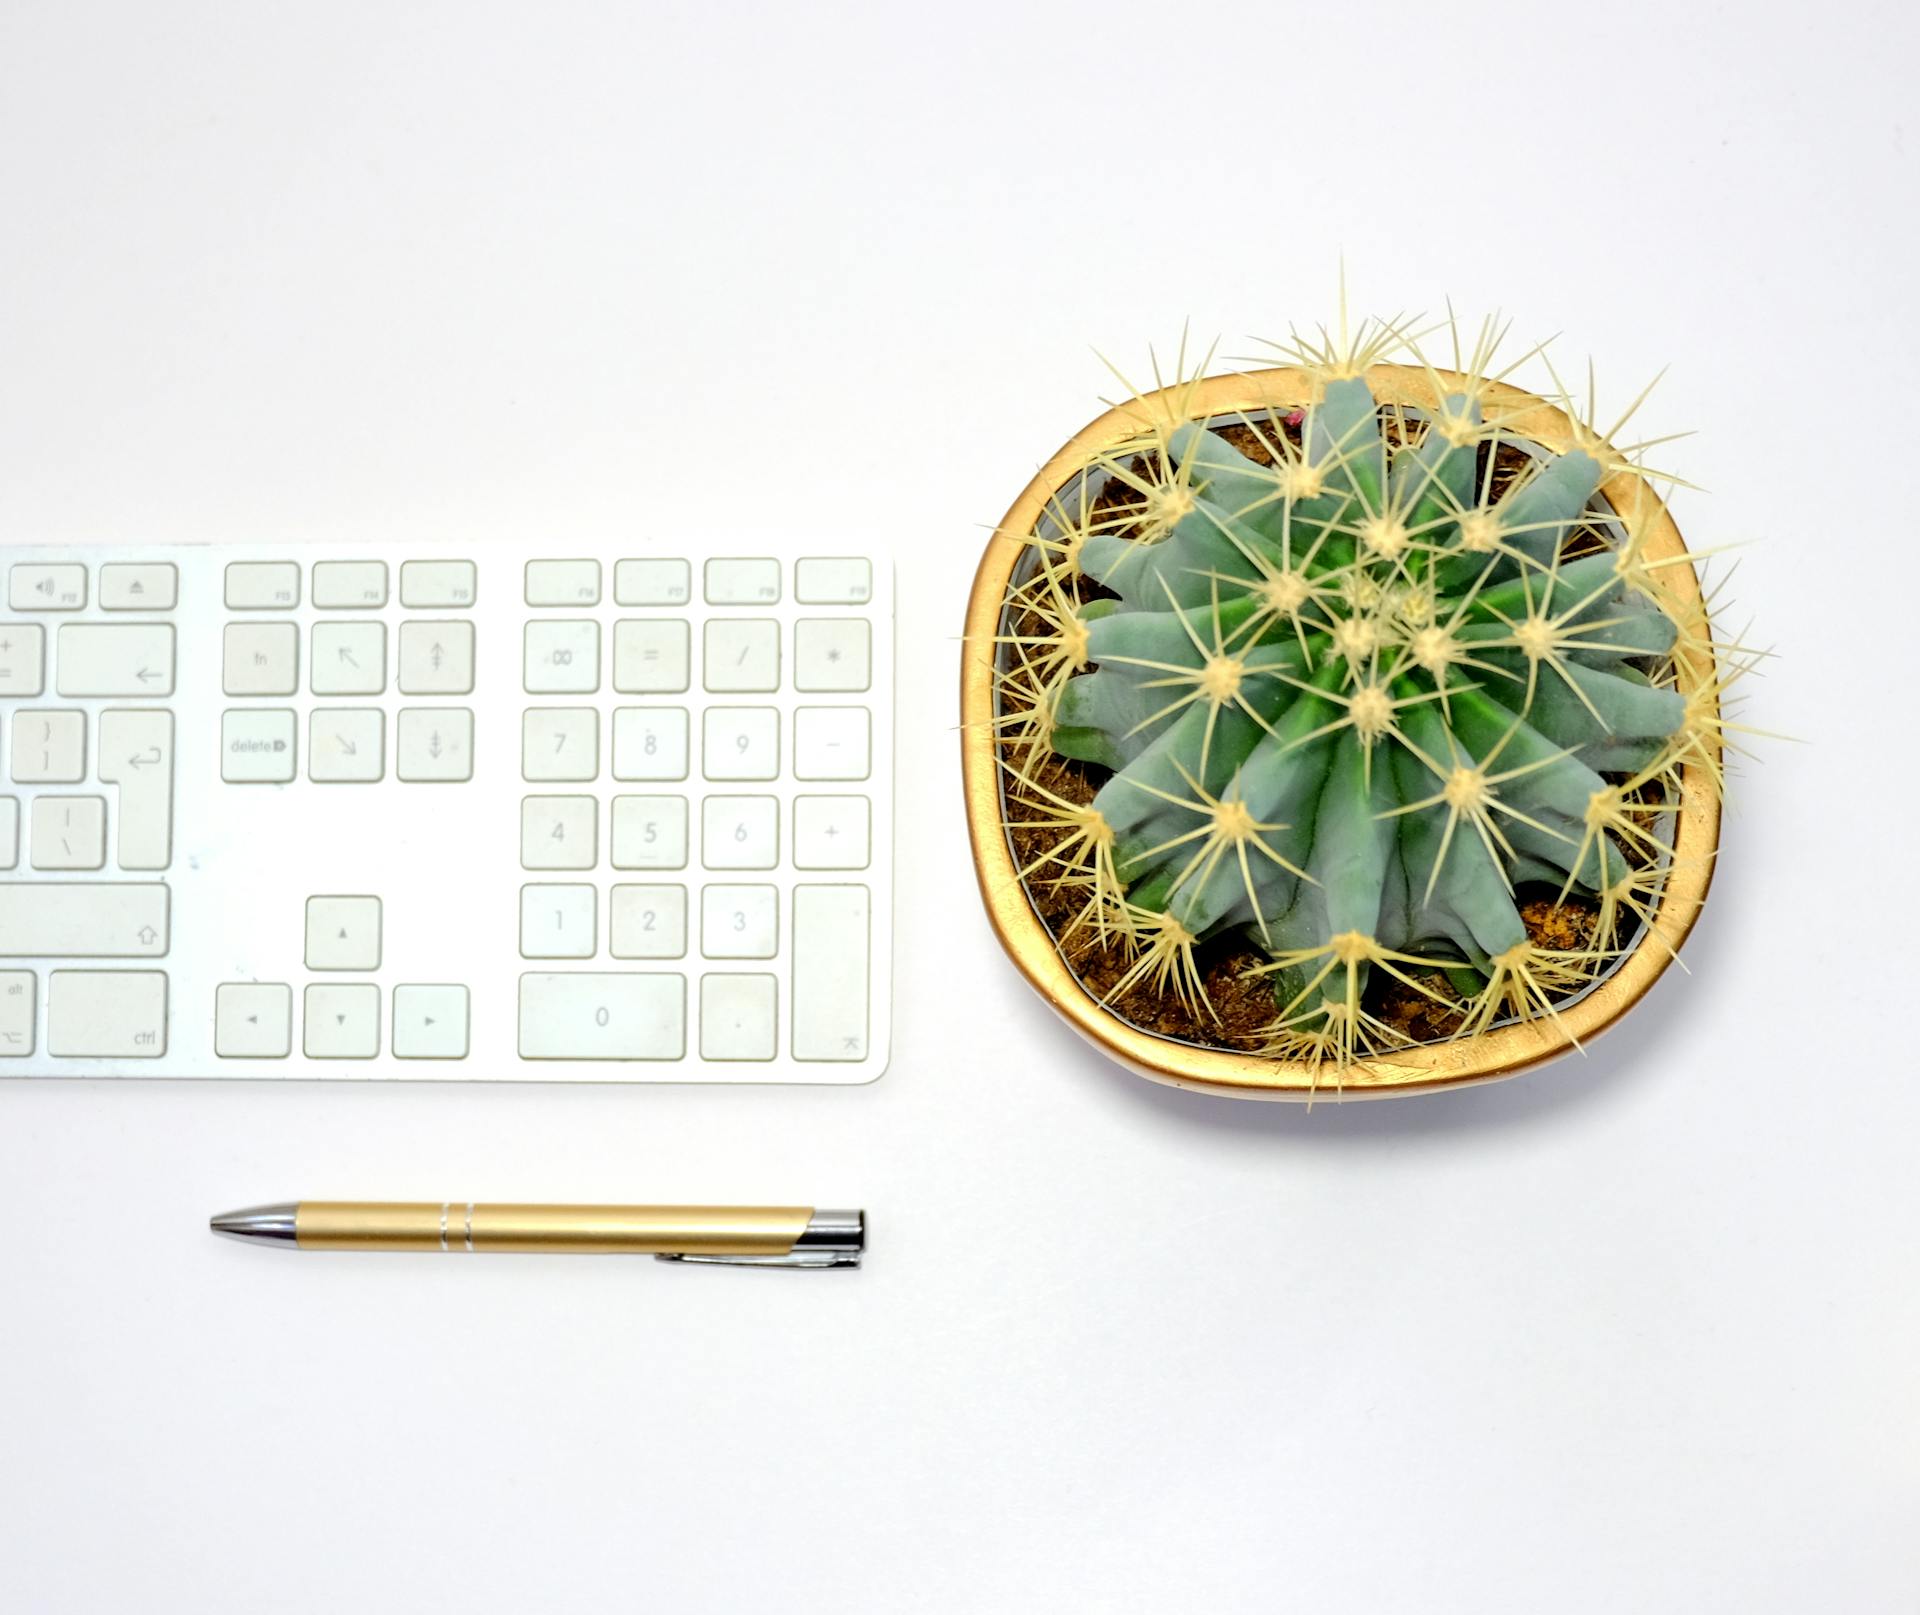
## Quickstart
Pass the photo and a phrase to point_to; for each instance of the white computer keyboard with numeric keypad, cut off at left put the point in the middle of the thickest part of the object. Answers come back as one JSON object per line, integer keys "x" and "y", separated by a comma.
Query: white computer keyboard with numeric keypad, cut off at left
{"x": 610, "y": 813}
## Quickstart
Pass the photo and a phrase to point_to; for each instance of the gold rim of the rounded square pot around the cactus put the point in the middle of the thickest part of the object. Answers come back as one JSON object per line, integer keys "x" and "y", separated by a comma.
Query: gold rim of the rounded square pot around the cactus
{"x": 1424, "y": 1069}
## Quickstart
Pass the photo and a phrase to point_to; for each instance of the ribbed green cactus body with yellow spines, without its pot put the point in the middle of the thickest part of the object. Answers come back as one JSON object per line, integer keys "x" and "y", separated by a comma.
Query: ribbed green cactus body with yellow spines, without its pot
{"x": 1360, "y": 692}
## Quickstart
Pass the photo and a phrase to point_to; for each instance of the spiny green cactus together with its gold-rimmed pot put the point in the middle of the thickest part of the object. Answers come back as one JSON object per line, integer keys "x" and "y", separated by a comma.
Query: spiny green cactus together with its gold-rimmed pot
{"x": 1353, "y": 723}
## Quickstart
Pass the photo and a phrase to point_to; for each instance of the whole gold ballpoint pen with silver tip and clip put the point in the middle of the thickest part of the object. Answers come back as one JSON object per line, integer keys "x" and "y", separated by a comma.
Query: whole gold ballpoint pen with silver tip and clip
{"x": 721, "y": 1236}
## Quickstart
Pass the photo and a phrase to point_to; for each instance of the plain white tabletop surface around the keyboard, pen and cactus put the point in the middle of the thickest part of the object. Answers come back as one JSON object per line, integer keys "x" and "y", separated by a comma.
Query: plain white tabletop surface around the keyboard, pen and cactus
{"x": 1631, "y": 1334}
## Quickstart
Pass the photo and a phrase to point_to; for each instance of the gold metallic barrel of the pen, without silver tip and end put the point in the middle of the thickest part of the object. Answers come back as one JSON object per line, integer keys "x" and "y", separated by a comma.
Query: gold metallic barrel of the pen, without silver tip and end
{"x": 458, "y": 1226}
